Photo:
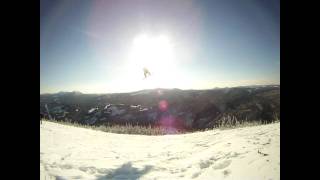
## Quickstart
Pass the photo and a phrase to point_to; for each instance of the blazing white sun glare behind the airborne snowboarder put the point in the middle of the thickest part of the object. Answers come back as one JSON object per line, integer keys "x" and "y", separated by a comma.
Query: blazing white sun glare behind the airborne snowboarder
{"x": 156, "y": 53}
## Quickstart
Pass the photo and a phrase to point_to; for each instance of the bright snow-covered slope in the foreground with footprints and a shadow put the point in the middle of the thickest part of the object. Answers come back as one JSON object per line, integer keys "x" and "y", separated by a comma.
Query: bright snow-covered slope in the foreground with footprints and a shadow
{"x": 68, "y": 152}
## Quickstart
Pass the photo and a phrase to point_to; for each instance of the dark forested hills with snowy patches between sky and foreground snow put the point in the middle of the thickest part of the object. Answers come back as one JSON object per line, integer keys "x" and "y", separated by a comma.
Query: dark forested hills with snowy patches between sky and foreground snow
{"x": 188, "y": 109}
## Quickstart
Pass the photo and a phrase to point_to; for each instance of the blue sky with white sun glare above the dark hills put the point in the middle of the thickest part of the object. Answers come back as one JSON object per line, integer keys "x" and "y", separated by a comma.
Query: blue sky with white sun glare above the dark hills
{"x": 102, "y": 46}
